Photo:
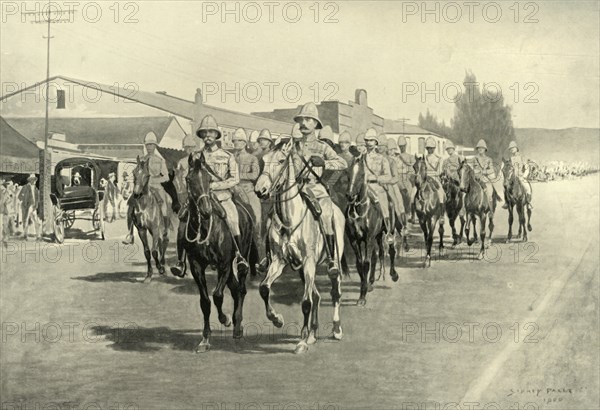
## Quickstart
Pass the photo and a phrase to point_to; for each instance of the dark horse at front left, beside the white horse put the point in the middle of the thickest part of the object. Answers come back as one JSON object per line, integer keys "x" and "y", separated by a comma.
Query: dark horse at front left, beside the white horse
{"x": 208, "y": 241}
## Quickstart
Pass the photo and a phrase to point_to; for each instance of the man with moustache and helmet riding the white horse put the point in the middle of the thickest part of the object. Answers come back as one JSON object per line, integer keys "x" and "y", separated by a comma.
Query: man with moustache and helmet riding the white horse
{"x": 318, "y": 156}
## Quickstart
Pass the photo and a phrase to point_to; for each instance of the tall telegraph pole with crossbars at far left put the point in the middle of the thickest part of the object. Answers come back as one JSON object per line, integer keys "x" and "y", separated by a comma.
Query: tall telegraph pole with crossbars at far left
{"x": 45, "y": 164}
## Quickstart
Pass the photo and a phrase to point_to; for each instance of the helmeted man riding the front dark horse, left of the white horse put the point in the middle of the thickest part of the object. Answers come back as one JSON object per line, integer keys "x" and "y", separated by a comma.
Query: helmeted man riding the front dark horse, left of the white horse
{"x": 224, "y": 171}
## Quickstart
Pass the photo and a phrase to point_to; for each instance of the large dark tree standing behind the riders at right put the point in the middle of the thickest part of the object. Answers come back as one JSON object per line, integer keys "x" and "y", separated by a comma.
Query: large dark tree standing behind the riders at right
{"x": 481, "y": 113}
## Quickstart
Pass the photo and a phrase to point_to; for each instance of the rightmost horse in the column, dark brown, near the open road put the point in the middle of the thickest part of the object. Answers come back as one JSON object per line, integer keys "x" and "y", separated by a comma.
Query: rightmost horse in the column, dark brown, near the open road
{"x": 516, "y": 196}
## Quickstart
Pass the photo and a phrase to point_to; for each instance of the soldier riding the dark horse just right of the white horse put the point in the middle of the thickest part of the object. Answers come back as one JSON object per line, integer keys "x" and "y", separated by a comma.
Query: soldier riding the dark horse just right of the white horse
{"x": 378, "y": 176}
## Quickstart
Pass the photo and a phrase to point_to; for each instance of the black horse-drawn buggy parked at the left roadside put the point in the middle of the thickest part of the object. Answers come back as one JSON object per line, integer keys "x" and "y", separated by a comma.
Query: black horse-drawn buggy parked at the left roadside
{"x": 76, "y": 194}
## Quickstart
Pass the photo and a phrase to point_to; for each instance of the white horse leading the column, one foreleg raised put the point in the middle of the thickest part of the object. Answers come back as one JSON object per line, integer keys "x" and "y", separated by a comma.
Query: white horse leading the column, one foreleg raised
{"x": 295, "y": 239}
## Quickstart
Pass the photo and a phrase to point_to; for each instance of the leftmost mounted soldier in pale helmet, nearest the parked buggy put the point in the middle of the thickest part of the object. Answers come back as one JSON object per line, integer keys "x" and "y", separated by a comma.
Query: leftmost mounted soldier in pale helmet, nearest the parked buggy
{"x": 159, "y": 174}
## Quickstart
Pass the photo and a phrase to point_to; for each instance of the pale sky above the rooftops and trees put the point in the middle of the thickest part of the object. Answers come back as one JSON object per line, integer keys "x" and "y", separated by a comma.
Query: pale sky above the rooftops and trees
{"x": 547, "y": 69}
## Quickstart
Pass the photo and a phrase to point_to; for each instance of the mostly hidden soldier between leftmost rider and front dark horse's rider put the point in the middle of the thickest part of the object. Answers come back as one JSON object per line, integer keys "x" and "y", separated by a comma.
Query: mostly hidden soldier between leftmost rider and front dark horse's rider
{"x": 190, "y": 145}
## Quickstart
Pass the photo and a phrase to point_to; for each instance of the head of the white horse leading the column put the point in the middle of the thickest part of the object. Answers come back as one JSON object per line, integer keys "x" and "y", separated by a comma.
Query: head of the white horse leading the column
{"x": 275, "y": 163}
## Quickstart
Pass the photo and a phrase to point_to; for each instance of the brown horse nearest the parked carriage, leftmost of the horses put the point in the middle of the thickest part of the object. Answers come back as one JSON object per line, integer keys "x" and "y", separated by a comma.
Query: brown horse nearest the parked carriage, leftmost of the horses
{"x": 147, "y": 217}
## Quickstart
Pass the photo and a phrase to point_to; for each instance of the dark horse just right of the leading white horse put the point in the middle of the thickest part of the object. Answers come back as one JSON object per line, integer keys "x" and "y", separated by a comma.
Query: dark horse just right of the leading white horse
{"x": 365, "y": 229}
